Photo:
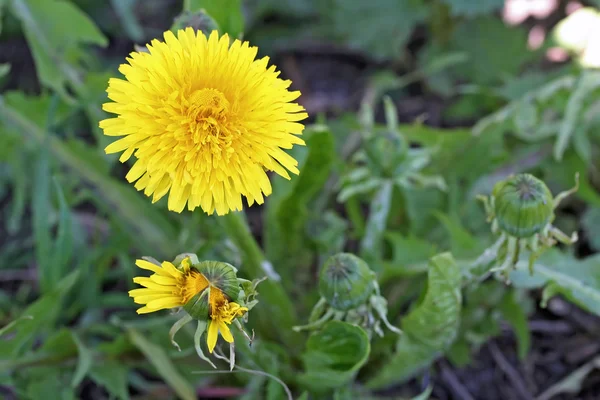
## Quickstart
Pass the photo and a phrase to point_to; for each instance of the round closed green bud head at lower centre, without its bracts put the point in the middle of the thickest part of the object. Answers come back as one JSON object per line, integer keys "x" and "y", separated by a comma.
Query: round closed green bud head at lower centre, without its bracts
{"x": 346, "y": 281}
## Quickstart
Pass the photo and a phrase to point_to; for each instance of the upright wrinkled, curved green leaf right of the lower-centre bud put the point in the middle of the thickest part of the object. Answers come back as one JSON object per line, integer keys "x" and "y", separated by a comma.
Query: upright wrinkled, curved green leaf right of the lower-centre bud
{"x": 430, "y": 328}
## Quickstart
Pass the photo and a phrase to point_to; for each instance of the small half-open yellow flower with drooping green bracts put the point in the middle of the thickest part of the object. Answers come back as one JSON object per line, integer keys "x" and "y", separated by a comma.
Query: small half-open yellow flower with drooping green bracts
{"x": 209, "y": 292}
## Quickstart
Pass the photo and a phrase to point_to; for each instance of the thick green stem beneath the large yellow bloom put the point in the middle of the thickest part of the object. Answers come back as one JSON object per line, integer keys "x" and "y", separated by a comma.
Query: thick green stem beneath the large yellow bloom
{"x": 276, "y": 314}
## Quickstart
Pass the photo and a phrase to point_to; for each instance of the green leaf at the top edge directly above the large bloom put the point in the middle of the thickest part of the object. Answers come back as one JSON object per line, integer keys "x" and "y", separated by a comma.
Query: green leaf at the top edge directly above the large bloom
{"x": 227, "y": 14}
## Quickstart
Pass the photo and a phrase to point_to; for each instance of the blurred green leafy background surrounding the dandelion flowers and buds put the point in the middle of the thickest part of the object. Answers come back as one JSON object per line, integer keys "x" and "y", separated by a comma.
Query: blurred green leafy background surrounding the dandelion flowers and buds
{"x": 475, "y": 91}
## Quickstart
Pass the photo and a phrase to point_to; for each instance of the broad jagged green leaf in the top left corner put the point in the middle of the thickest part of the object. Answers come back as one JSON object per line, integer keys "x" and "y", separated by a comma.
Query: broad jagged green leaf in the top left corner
{"x": 54, "y": 48}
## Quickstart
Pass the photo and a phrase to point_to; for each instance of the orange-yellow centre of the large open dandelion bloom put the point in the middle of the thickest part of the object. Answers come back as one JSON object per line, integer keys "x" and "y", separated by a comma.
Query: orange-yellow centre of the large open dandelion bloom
{"x": 208, "y": 115}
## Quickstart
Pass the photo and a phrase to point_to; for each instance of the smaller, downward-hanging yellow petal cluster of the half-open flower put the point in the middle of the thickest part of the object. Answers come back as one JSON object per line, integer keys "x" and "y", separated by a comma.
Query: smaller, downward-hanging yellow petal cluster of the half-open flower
{"x": 223, "y": 312}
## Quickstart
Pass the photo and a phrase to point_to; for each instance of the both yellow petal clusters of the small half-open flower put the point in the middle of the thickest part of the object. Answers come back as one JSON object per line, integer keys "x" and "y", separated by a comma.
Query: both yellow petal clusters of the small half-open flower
{"x": 170, "y": 287}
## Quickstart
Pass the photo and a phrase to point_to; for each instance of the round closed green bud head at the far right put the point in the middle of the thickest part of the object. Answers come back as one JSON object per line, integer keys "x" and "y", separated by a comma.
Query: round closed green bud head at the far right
{"x": 523, "y": 205}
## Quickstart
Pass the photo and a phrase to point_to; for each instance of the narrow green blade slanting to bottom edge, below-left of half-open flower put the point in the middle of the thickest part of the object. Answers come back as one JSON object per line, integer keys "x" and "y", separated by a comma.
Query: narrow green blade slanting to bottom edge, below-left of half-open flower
{"x": 163, "y": 364}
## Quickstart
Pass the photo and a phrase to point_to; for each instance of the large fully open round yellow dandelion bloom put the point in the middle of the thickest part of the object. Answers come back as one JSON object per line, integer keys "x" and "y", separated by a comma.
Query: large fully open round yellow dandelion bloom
{"x": 205, "y": 121}
